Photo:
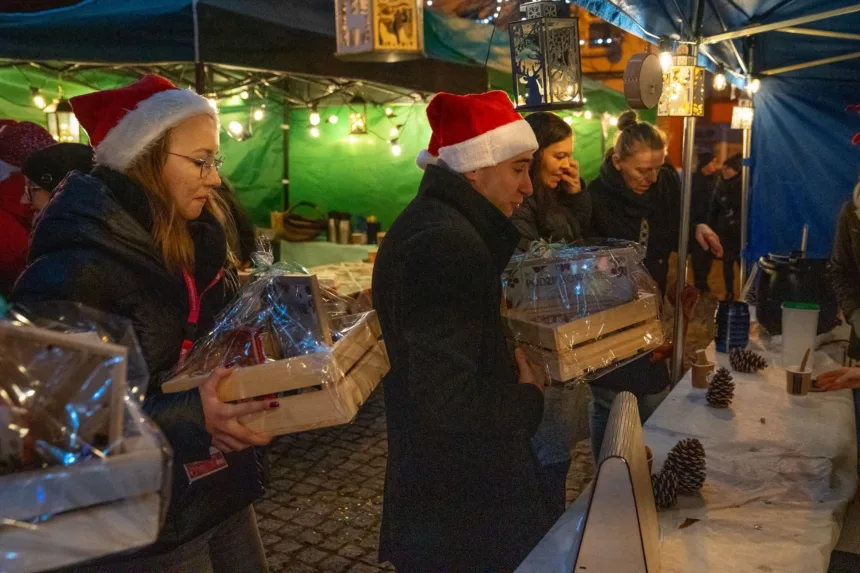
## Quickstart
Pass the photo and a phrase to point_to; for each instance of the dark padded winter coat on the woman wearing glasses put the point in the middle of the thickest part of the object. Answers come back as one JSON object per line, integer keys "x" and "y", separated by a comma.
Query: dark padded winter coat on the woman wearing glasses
{"x": 92, "y": 245}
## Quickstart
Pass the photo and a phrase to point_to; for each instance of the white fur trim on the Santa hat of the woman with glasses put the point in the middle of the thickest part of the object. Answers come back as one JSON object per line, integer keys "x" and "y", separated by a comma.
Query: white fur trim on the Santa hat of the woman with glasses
{"x": 143, "y": 125}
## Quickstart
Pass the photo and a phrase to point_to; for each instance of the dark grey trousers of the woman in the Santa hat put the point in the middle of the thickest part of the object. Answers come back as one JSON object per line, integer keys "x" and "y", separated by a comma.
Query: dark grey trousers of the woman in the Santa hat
{"x": 233, "y": 546}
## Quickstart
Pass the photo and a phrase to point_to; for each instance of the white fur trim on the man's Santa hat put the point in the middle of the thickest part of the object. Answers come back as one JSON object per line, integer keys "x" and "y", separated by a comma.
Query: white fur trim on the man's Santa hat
{"x": 490, "y": 148}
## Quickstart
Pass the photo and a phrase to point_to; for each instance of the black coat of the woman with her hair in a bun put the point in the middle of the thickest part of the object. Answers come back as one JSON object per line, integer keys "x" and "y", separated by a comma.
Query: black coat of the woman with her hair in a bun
{"x": 618, "y": 214}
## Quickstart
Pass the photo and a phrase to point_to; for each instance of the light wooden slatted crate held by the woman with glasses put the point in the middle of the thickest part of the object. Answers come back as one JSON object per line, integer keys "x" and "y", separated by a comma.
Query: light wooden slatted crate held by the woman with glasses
{"x": 354, "y": 367}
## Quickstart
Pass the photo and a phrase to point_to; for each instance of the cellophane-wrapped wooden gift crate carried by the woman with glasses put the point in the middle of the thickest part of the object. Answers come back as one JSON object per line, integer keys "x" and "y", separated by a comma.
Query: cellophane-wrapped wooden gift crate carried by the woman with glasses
{"x": 287, "y": 337}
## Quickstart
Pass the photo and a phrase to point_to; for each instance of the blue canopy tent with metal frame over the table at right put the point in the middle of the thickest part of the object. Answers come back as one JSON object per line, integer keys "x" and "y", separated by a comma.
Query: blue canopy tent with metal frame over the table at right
{"x": 806, "y": 53}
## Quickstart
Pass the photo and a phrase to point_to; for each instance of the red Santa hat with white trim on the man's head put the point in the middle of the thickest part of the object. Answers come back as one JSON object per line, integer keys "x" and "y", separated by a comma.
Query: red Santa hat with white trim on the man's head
{"x": 475, "y": 131}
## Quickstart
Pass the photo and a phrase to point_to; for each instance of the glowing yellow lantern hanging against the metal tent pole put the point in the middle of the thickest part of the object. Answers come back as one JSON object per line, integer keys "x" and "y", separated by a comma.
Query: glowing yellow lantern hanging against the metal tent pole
{"x": 683, "y": 86}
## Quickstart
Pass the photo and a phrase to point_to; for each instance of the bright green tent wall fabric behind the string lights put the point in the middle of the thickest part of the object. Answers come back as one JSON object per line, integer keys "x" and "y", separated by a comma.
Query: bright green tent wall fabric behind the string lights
{"x": 359, "y": 174}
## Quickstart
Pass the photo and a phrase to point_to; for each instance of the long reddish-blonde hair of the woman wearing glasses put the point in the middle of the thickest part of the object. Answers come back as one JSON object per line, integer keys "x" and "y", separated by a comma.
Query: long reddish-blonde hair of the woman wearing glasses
{"x": 169, "y": 229}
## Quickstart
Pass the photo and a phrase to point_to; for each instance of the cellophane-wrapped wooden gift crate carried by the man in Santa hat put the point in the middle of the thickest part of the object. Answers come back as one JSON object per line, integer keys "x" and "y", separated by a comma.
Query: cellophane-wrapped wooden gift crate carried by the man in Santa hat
{"x": 579, "y": 311}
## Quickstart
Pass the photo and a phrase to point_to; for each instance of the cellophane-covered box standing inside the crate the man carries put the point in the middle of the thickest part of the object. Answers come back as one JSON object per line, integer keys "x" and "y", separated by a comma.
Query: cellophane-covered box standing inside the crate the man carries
{"x": 574, "y": 280}
